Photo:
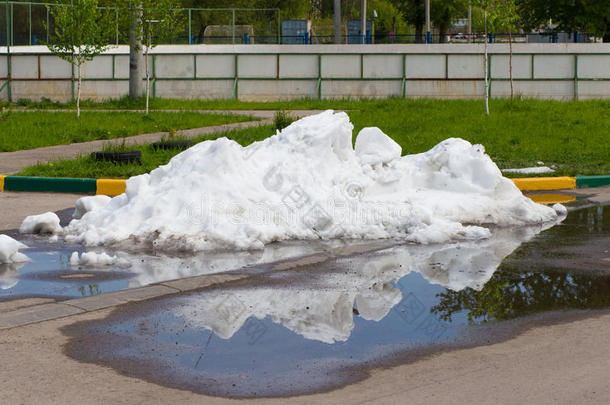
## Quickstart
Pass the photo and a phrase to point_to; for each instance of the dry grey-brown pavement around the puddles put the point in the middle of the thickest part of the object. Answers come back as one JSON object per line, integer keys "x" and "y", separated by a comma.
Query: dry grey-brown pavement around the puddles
{"x": 558, "y": 362}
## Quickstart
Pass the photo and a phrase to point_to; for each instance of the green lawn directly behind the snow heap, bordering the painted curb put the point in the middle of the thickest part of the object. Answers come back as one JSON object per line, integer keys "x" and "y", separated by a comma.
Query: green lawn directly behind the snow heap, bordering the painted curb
{"x": 574, "y": 136}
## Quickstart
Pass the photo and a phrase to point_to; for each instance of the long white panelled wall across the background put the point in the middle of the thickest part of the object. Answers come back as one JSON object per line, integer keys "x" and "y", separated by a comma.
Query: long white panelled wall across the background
{"x": 272, "y": 72}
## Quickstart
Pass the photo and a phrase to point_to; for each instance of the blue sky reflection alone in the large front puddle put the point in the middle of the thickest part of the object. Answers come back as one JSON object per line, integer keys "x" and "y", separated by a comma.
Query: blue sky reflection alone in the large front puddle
{"x": 263, "y": 353}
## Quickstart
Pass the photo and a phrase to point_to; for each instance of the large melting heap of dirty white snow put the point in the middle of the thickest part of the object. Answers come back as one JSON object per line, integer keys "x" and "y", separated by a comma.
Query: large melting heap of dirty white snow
{"x": 308, "y": 182}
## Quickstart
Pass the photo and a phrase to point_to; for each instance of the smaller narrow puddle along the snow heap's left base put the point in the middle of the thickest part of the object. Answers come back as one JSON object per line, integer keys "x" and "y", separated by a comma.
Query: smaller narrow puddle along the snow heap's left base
{"x": 49, "y": 273}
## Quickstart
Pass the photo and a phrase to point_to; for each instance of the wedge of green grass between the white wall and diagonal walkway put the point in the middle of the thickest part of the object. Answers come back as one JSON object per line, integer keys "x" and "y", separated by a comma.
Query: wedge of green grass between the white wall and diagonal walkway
{"x": 27, "y": 130}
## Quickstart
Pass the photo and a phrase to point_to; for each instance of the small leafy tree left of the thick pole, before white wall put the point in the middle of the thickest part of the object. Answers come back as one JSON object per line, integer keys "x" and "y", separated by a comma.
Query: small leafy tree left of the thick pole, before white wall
{"x": 82, "y": 31}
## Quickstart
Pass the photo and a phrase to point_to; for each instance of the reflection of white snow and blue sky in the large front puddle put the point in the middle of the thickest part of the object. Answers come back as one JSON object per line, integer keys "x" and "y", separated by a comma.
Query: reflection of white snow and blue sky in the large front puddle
{"x": 348, "y": 311}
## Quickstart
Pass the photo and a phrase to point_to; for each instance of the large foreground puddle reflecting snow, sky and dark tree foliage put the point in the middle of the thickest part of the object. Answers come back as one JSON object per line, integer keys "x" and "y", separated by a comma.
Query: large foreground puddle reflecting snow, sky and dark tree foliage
{"x": 317, "y": 327}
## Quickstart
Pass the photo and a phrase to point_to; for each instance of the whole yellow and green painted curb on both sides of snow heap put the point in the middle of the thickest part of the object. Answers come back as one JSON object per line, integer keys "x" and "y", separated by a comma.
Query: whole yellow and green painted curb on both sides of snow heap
{"x": 113, "y": 187}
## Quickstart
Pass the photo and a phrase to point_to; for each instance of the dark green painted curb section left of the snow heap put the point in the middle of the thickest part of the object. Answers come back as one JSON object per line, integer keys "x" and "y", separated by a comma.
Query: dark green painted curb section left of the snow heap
{"x": 58, "y": 185}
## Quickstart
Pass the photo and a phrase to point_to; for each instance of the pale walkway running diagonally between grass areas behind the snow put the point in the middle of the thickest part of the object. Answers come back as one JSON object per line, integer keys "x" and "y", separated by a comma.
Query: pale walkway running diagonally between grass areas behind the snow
{"x": 13, "y": 162}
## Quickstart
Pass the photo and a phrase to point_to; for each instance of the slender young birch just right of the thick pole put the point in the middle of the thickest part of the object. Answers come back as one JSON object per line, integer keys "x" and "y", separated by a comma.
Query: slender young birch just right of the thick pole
{"x": 160, "y": 20}
